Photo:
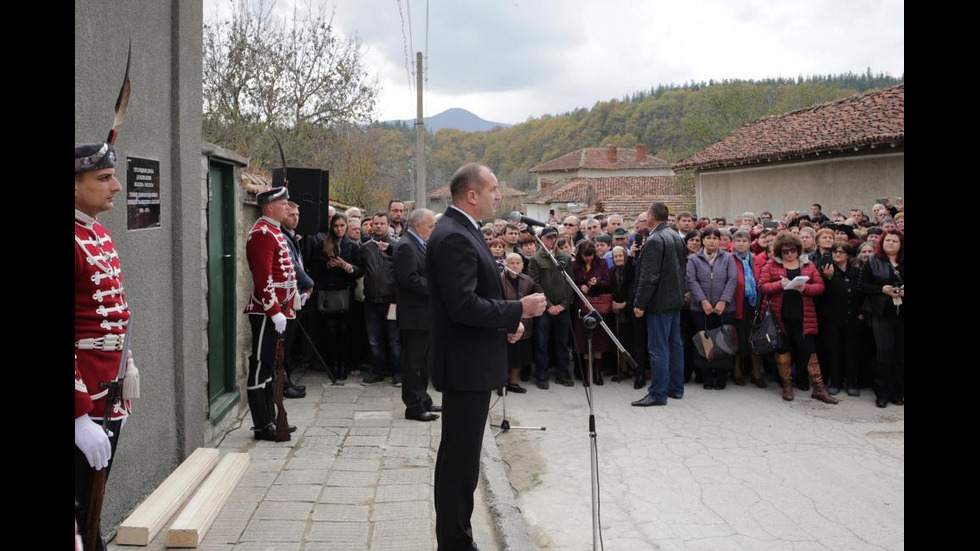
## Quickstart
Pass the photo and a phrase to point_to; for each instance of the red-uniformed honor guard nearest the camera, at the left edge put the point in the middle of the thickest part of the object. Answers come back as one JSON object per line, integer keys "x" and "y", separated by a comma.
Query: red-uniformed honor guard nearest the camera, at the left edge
{"x": 101, "y": 319}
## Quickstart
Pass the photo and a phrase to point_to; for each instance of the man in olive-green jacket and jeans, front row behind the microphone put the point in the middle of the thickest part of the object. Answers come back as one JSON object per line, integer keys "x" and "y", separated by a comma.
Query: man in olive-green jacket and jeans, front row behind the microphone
{"x": 555, "y": 322}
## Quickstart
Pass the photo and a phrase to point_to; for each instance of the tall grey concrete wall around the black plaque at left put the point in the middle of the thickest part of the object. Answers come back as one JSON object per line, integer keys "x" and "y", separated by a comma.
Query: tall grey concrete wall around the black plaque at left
{"x": 161, "y": 266}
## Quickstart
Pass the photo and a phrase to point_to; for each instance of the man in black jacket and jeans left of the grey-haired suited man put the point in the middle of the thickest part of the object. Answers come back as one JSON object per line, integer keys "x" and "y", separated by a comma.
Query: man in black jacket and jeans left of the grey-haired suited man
{"x": 375, "y": 259}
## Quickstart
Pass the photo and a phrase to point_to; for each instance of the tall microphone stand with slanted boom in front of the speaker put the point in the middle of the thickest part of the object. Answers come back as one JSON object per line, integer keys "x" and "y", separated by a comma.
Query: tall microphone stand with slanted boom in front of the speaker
{"x": 593, "y": 319}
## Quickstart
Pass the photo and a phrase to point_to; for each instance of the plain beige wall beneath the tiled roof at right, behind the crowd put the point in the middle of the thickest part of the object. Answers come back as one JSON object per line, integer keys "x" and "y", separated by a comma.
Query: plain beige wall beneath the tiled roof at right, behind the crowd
{"x": 837, "y": 184}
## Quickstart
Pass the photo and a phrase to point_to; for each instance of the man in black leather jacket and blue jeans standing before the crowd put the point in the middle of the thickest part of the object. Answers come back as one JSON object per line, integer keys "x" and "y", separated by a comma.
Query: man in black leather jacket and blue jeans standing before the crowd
{"x": 660, "y": 296}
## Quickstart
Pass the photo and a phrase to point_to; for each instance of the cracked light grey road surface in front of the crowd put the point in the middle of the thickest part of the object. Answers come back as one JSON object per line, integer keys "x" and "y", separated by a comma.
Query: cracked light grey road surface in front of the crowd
{"x": 737, "y": 469}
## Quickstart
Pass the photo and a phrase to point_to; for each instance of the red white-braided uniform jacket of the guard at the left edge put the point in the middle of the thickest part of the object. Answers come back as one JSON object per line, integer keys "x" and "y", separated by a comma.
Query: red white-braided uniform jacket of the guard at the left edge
{"x": 101, "y": 316}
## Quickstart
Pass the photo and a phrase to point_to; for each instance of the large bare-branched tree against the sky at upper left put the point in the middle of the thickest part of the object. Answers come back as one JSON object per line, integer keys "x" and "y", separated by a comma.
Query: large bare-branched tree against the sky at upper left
{"x": 264, "y": 71}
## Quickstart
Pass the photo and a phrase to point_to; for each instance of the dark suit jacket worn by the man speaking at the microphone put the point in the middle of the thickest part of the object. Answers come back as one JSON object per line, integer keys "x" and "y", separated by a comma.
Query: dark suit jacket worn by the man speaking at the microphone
{"x": 470, "y": 318}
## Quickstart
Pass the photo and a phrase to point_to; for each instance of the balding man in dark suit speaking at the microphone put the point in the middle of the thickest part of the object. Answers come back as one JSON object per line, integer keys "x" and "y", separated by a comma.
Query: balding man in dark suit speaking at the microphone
{"x": 471, "y": 325}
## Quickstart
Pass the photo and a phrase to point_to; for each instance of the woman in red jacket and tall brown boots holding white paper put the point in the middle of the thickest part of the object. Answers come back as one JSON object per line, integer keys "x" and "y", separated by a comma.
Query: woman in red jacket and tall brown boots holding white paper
{"x": 792, "y": 306}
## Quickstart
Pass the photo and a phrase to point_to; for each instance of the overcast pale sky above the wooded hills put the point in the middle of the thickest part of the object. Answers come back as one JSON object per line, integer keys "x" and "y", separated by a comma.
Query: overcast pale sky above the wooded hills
{"x": 510, "y": 60}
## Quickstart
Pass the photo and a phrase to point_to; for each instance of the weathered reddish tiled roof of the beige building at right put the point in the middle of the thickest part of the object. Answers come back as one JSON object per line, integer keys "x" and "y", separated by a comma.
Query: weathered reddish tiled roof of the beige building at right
{"x": 875, "y": 120}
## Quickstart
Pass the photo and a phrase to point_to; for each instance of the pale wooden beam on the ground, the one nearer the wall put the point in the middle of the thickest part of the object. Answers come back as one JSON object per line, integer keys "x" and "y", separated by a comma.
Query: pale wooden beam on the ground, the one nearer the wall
{"x": 151, "y": 515}
